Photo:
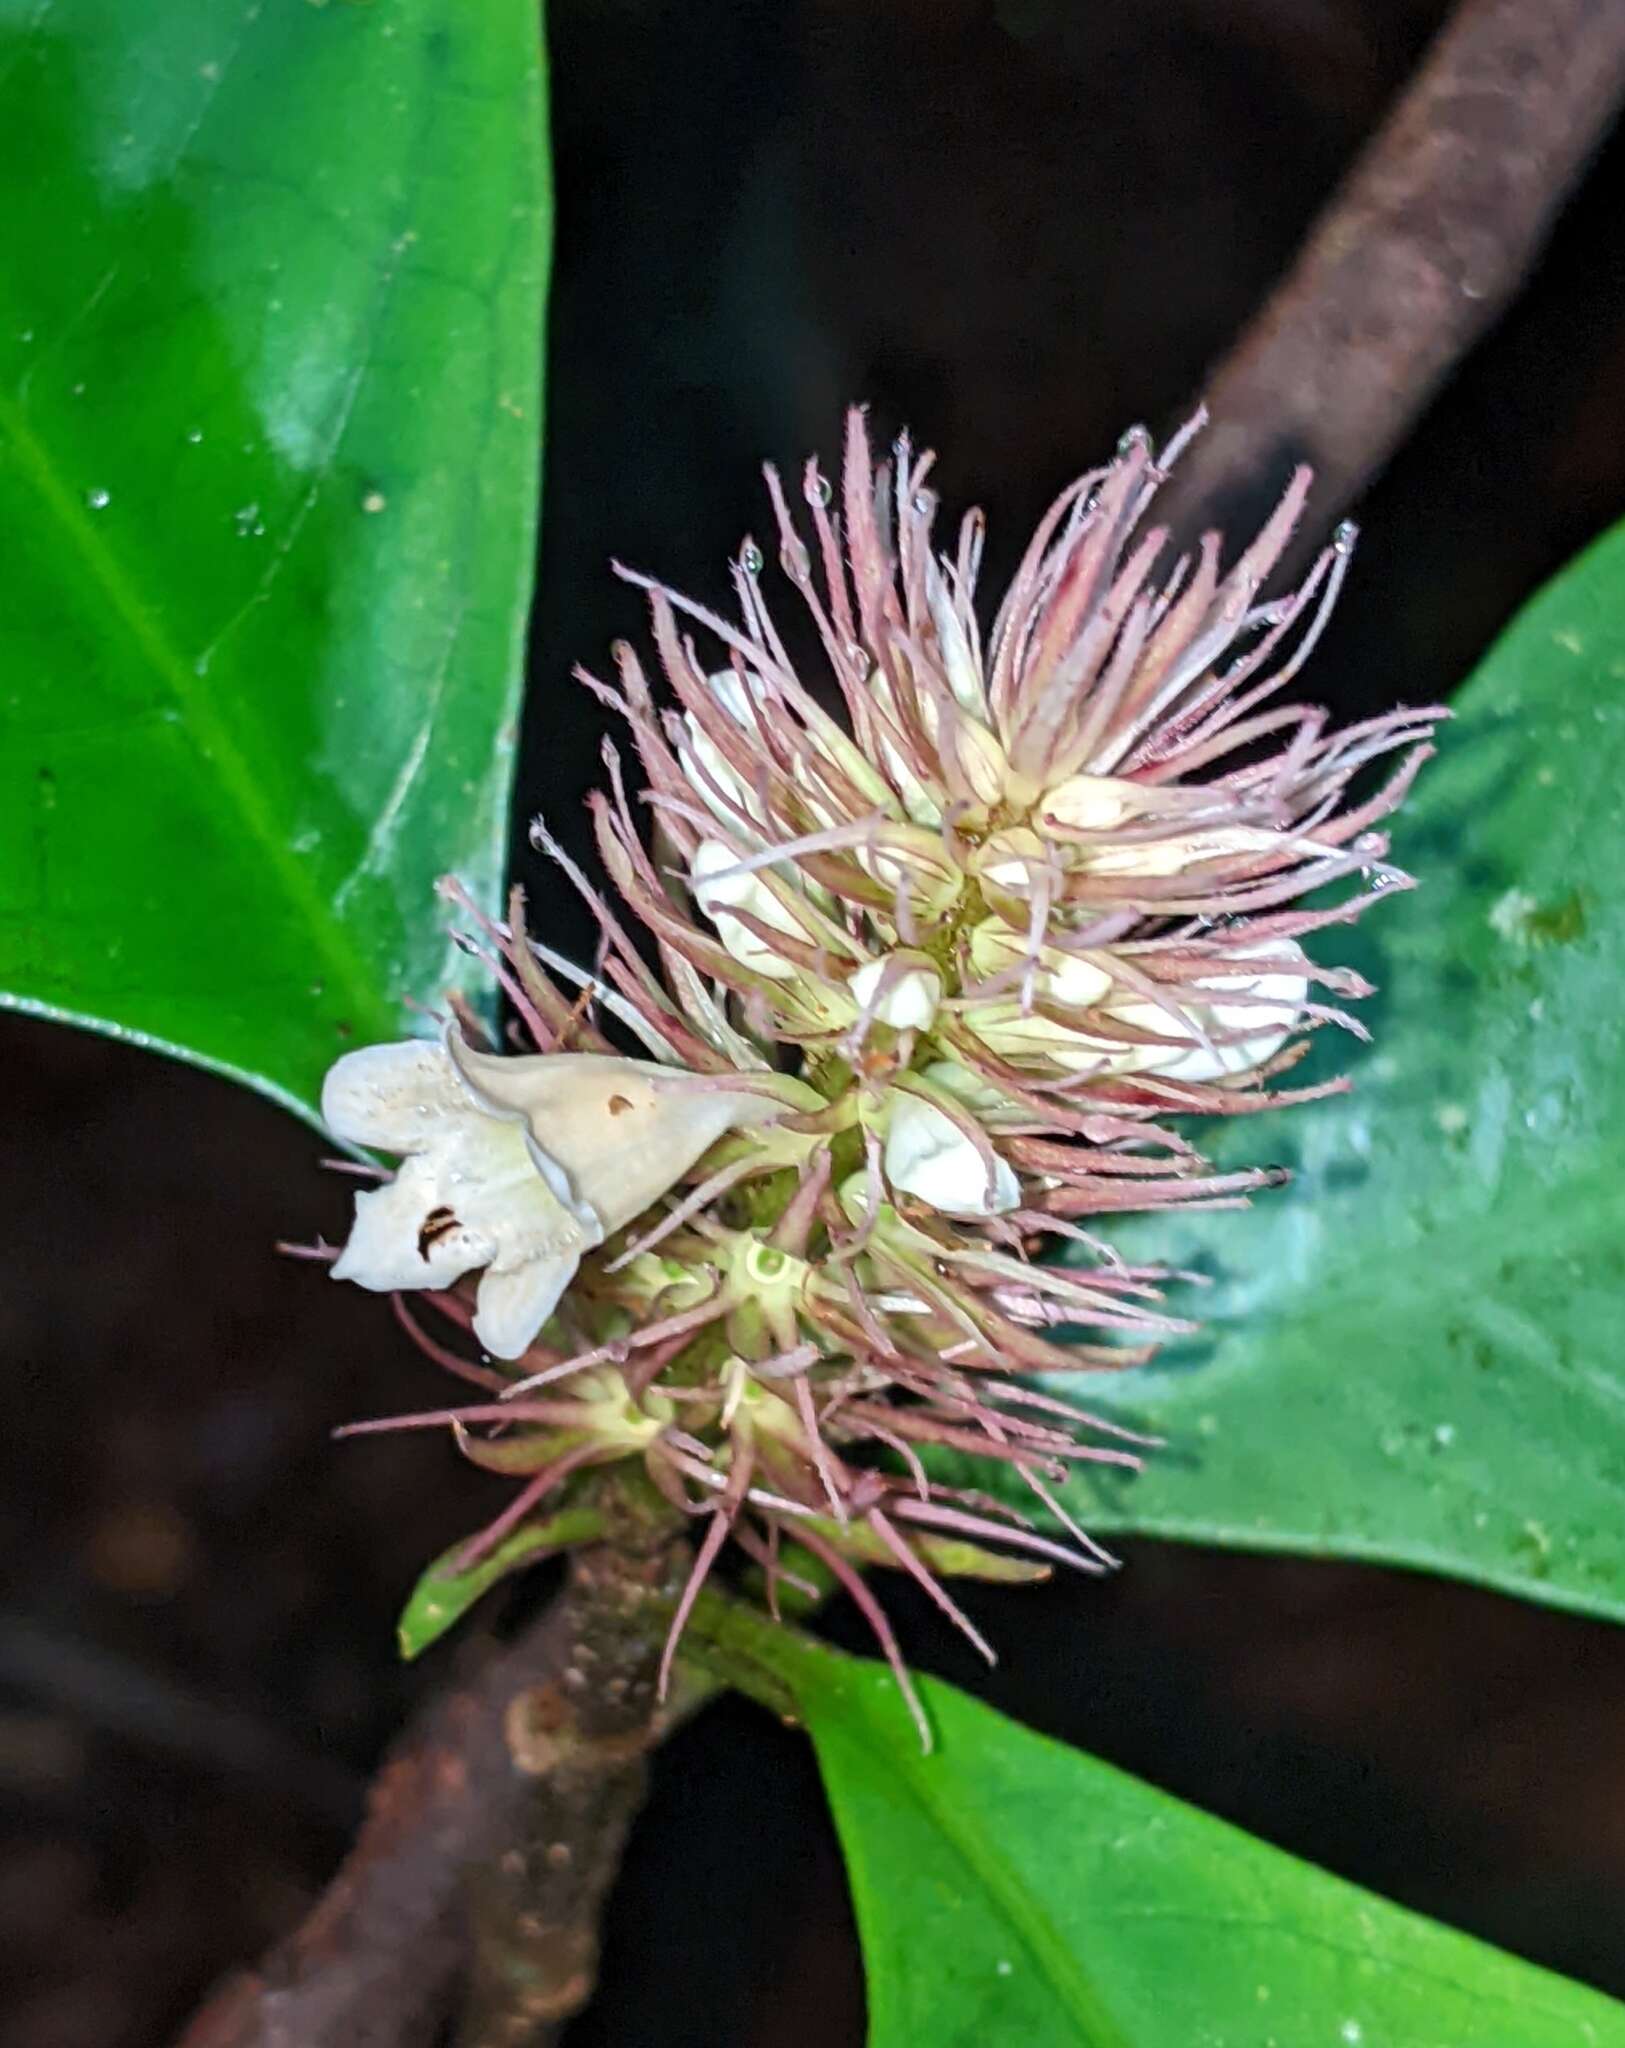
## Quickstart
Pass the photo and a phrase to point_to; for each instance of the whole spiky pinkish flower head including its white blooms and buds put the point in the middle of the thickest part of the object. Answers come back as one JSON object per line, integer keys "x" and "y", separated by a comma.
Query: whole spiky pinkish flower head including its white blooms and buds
{"x": 948, "y": 921}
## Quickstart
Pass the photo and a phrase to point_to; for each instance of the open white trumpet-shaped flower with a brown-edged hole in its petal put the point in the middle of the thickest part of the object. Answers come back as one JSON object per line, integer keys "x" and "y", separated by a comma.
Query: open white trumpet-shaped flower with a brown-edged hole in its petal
{"x": 515, "y": 1166}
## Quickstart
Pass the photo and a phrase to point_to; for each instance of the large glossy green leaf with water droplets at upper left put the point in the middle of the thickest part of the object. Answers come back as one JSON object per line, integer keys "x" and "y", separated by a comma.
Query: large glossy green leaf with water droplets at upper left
{"x": 272, "y": 300}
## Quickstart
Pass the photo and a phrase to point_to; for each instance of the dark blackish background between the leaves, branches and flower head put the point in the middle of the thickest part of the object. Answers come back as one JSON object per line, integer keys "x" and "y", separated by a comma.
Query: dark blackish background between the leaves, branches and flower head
{"x": 1017, "y": 228}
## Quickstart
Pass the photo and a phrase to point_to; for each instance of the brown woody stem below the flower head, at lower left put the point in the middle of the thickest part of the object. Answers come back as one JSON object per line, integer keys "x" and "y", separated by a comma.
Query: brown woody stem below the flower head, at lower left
{"x": 495, "y": 1832}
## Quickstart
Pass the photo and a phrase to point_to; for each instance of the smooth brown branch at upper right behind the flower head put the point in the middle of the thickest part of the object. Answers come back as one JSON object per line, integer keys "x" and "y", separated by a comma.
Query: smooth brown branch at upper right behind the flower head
{"x": 1417, "y": 255}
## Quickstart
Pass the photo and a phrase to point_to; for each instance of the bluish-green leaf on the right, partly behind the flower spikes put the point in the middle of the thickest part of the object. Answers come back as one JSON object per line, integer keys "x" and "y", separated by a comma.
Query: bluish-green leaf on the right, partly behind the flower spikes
{"x": 1413, "y": 1353}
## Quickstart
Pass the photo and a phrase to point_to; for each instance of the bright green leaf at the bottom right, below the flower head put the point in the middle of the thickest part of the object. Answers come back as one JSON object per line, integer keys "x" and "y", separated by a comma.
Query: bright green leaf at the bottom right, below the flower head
{"x": 1015, "y": 1891}
